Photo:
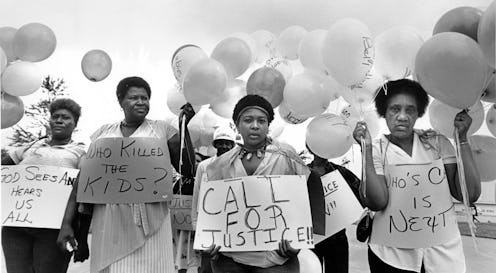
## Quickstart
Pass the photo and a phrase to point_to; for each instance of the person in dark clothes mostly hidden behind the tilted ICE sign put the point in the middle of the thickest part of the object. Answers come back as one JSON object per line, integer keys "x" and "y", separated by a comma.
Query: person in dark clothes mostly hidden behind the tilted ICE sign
{"x": 334, "y": 250}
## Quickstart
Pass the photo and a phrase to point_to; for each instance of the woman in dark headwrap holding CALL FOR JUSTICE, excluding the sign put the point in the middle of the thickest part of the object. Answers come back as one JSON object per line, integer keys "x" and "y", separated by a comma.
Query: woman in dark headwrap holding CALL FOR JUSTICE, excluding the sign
{"x": 260, "y": 155}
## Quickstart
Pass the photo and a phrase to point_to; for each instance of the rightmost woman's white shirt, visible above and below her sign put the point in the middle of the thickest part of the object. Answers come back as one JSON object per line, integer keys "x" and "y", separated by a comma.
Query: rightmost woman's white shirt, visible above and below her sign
{"x": 447, "y": 257}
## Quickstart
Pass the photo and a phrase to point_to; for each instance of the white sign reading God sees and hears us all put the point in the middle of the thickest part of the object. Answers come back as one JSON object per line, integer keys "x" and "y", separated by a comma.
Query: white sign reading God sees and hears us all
{"x": 35, "y": 195}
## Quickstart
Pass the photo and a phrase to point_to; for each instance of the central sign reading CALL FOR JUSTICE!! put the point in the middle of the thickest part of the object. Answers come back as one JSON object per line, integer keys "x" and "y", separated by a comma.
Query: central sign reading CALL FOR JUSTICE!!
{"x": 254, "y": 213}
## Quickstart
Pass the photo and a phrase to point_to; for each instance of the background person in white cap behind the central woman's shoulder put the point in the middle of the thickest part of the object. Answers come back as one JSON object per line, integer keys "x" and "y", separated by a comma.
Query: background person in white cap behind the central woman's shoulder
{"x": 224, "y": 141}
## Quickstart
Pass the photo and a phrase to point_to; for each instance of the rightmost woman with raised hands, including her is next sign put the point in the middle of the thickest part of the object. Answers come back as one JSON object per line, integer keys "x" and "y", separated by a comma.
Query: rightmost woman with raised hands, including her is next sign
{"x": 410, "y": 179}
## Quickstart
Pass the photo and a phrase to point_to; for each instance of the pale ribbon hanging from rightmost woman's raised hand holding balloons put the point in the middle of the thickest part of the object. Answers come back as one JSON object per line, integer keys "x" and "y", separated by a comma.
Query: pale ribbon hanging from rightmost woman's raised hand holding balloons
{"x": 463, "y": 187}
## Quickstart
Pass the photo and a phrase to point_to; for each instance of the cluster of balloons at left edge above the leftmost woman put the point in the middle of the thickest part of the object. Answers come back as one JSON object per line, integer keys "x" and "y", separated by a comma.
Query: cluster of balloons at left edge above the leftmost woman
{"x": 20, "y": 49}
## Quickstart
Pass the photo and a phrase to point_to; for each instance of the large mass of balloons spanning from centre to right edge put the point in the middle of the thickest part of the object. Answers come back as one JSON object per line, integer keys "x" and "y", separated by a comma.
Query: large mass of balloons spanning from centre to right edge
{"x": 301, "y": 72}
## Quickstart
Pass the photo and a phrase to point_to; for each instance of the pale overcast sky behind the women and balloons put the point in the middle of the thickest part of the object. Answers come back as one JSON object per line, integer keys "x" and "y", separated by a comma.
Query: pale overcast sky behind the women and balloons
{"x": 140, "y": 36}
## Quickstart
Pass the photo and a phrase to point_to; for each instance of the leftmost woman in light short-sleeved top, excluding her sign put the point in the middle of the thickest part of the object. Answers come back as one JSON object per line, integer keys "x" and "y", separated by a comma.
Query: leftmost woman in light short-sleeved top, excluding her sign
{"x": 29, "y": 249}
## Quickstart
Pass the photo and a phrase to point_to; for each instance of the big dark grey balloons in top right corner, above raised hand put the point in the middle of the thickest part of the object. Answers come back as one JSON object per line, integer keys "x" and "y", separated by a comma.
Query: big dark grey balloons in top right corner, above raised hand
{"x": 455, "y": 65}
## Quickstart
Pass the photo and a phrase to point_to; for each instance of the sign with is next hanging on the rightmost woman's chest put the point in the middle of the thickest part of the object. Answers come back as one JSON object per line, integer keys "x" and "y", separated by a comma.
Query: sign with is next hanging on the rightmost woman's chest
{"x": 420, "y": 212}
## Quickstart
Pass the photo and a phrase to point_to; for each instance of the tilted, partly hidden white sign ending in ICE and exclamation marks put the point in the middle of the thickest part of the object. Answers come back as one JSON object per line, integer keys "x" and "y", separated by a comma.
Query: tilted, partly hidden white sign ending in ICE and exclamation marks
{"x": 342, "y": 208}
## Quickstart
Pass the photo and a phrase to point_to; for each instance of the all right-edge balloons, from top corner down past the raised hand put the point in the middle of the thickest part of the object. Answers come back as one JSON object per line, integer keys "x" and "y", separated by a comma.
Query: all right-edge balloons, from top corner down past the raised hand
{"x": 457, "y": 67}
